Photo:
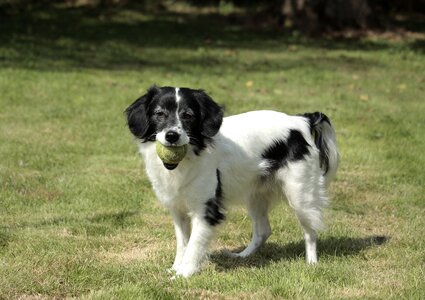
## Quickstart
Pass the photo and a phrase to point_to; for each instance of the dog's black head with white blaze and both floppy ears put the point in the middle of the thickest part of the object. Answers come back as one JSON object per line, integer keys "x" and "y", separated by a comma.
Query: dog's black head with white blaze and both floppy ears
{"x": 175, "y": 117}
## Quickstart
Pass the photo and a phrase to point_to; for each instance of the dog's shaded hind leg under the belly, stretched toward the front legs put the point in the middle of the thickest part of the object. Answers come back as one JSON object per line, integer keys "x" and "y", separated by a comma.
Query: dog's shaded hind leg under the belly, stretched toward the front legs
{"x": 261, "y": 230}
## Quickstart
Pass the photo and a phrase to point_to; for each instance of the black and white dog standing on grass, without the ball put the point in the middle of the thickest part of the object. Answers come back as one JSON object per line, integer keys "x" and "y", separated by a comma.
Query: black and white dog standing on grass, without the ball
{"x": 253, "y": 158}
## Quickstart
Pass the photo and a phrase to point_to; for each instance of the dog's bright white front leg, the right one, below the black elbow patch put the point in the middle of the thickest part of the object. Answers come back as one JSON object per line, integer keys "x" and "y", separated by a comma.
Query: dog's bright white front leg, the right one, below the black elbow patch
{"x": 197, "y": 248}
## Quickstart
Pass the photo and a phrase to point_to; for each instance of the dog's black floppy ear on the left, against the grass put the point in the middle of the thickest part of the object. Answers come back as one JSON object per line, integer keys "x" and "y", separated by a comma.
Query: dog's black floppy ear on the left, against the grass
{"x": 137, "y": 117}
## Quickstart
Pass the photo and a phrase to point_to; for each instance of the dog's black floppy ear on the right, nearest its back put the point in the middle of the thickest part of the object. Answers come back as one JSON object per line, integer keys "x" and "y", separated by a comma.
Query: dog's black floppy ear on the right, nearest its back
{"x": 211, "y": 114}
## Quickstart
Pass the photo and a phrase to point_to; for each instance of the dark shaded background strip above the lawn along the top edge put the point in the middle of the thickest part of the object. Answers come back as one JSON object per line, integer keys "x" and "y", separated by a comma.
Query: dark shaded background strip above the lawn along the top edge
{"x": 311, "y": 16}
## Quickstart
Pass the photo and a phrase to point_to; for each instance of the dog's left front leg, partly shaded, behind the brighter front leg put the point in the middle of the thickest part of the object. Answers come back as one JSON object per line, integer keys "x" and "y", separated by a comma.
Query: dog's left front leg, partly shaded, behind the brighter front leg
{"x": 182, "y": 229}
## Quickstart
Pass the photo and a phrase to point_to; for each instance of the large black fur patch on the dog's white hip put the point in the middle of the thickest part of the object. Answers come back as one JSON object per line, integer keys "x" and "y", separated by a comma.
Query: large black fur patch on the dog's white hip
{"x": 282, "y": 151}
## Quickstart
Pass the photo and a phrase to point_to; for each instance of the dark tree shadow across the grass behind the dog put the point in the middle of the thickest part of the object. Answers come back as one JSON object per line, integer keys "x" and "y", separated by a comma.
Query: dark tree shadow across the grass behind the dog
{"x": 127, "y": 39}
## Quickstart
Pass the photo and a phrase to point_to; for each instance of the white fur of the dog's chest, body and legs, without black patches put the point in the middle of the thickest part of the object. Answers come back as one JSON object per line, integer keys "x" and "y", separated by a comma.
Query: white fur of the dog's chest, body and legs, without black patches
{"x": 236, "y": 152}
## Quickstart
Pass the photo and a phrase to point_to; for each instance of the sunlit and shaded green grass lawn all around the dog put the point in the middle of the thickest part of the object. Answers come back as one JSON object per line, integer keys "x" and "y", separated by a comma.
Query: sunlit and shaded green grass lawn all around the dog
{"x": 78, "y": 218}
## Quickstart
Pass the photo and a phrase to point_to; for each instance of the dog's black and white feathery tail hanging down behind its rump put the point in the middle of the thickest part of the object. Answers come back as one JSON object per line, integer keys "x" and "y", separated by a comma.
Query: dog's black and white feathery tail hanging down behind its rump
{"x": 325, "y": 140}
